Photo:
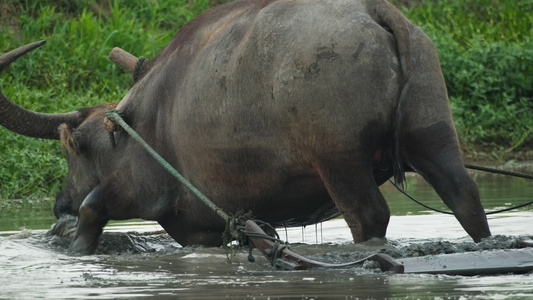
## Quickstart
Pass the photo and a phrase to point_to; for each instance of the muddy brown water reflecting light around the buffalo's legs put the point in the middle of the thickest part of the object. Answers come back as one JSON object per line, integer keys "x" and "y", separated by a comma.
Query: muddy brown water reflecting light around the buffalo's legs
{"x": 135, "y": 260}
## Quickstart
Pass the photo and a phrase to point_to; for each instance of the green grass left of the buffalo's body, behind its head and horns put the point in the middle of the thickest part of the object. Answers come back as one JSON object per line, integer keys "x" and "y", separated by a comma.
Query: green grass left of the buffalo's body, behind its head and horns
{"x": 72, "y": 70}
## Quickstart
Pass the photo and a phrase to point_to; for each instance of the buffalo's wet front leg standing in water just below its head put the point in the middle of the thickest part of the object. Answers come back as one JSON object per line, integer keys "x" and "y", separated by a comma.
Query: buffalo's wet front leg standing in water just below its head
{"x": 92, "y": 218}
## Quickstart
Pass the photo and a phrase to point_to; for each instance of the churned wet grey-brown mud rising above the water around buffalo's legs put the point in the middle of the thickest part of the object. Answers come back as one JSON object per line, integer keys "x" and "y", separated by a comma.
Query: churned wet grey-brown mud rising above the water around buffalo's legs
{"x": 122, "y": 243}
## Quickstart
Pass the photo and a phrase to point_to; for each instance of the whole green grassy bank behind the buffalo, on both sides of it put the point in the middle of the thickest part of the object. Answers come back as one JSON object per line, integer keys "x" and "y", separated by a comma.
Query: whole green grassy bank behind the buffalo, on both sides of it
{"x": 485, "y": 48}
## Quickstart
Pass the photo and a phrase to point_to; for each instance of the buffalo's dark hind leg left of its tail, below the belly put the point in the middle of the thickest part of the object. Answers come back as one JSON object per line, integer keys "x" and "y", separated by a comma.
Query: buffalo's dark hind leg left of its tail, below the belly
{"x": 358, "y": 198}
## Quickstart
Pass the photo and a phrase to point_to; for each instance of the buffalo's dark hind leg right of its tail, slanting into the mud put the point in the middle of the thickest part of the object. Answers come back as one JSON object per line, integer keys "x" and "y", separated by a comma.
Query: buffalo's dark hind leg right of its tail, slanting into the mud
{"x": 433, "y": 152}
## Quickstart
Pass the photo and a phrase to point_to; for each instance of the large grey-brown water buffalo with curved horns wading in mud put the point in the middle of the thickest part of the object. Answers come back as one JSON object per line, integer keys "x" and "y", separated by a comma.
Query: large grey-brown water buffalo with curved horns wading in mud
{"x": 294, "y": 110}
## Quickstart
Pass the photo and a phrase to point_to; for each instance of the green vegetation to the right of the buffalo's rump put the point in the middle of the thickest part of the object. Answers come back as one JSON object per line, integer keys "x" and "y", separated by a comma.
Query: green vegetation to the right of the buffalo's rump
{"x": 486, "y": 53}
